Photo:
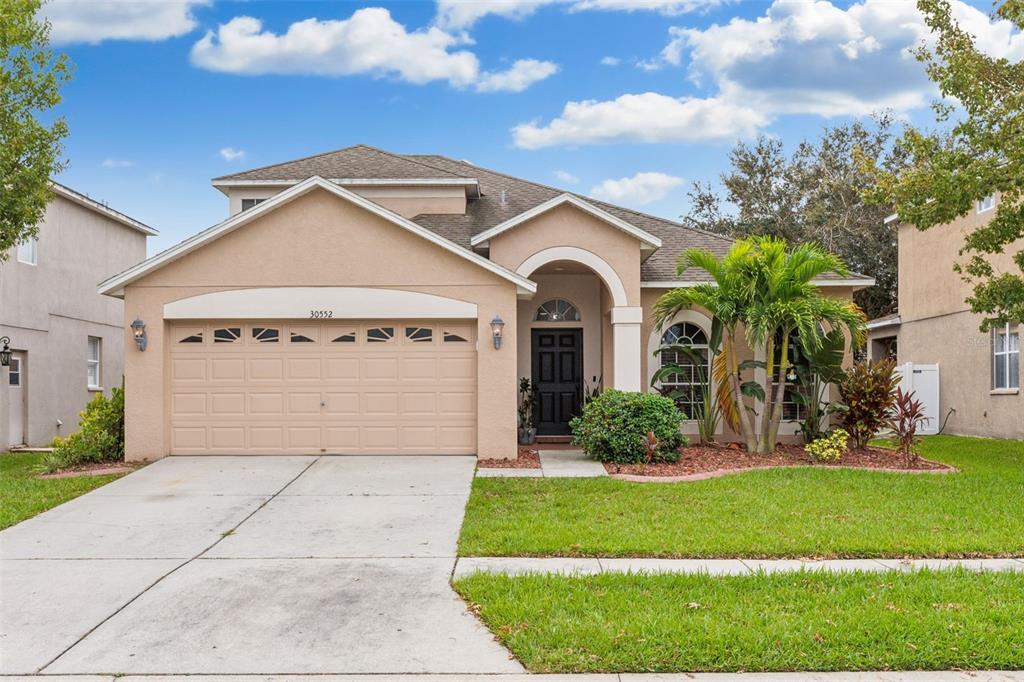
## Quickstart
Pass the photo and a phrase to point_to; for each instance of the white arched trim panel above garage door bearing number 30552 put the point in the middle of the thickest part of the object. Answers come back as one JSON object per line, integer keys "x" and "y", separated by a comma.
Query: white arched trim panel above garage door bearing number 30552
{"x": 307, "y": 303}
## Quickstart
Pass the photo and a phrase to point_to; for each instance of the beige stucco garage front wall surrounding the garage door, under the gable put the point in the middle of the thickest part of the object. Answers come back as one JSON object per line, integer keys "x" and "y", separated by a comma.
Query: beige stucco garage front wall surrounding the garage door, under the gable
{"x": 322, "y": 240}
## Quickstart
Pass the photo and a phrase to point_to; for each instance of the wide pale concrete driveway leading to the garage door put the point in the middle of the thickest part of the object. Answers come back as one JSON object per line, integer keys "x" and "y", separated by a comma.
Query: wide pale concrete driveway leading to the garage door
{"x": 248, "y": 566}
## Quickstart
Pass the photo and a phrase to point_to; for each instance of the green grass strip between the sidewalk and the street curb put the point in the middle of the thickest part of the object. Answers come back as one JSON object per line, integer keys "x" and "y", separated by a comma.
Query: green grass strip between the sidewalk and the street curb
{"x": 782, "y": 622}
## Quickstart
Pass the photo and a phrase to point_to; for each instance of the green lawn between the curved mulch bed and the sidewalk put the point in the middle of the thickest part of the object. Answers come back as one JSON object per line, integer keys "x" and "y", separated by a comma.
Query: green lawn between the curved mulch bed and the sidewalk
{"x": 776, "y": 514}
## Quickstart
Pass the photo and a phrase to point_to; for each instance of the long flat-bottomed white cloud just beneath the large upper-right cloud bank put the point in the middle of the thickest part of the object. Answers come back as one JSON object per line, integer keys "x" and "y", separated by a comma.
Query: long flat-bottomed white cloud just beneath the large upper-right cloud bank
{"x": 646, "y": 118}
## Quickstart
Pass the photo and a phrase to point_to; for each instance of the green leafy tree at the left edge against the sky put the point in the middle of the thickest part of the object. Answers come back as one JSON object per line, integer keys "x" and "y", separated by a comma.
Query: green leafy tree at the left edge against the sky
{"x": 31, "y": 76}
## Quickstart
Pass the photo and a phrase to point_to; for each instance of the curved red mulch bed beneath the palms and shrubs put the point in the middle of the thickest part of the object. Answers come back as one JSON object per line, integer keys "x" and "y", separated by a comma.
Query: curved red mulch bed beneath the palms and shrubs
{"x": 707, "y": 461}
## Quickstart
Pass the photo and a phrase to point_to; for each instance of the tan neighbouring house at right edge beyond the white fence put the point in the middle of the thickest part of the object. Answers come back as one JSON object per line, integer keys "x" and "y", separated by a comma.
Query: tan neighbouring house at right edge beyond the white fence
{"x": 979, "y": 372}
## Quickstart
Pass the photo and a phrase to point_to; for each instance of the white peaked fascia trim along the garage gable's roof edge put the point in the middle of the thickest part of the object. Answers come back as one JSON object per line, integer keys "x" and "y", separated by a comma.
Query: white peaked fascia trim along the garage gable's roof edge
{"x": 115, "y": 285}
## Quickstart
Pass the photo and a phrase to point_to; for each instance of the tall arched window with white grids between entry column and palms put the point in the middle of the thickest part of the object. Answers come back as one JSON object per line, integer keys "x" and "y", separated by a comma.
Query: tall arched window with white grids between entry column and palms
{"x": 691, "y": 382}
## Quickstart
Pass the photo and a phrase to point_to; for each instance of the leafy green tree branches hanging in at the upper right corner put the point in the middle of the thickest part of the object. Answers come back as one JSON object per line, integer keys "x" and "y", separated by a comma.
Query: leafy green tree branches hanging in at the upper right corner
{"x": 983, "y": 154}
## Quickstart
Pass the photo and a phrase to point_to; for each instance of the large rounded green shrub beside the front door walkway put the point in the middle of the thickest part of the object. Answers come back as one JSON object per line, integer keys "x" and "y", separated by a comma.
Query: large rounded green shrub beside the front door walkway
{"x": 615, "y": 425}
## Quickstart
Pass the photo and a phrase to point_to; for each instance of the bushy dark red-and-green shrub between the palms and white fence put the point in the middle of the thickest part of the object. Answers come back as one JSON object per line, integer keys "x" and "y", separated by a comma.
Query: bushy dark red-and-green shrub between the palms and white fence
{"x": 869, "y": 395}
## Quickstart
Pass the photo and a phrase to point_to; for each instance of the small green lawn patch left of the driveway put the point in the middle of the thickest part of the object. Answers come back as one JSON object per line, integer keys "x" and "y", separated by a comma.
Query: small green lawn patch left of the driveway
{"x": 23, "y": 496}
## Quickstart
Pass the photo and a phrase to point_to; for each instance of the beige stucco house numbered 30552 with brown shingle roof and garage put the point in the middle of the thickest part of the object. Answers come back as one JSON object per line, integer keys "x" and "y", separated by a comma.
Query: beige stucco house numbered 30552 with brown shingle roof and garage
{"x": 367, "y": 303}
